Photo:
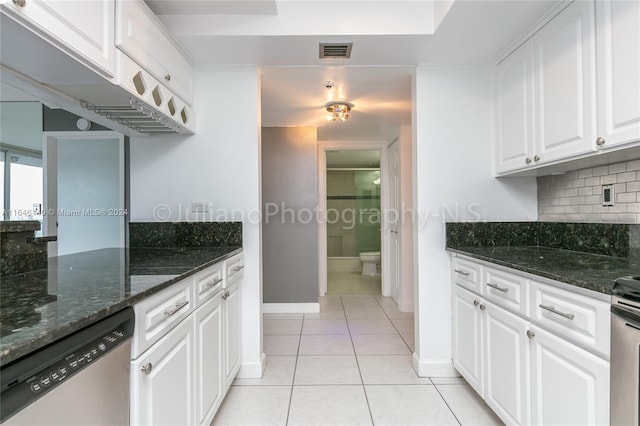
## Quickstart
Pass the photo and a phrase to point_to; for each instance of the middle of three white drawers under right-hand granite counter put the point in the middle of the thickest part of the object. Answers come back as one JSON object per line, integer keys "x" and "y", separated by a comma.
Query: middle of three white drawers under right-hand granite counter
{"x": 506, "y": 289}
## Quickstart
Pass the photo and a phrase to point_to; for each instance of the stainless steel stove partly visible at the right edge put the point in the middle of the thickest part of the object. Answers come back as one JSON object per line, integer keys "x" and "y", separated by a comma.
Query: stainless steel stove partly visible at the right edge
{"x": 625, "y": 352}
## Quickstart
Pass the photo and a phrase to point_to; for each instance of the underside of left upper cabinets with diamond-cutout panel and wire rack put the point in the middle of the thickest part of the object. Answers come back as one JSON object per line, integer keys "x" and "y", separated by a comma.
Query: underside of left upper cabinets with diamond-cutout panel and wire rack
{"x": 133, "y": 102}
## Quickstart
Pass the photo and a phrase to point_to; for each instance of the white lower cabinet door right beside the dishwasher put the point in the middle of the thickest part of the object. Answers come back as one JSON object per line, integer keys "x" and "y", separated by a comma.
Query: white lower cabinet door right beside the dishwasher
{"x": 163, "y": 394}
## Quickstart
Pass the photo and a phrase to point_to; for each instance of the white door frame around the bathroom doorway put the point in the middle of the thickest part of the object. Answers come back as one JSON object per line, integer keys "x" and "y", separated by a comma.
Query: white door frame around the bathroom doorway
{"x": 323, "y": 147}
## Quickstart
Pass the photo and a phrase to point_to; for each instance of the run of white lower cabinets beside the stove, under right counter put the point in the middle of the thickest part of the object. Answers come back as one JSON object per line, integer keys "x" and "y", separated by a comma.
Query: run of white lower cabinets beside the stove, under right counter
{"x": 528, "y": 374}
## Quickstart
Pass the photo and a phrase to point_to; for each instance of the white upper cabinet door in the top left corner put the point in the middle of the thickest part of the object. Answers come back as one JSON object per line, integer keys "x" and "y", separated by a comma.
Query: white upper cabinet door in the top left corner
{"x": 82, "y": 29}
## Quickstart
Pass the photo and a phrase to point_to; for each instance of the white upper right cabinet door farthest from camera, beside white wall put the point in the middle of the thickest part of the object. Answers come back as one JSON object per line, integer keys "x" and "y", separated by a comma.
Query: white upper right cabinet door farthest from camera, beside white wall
{"x": 513, "y": 115}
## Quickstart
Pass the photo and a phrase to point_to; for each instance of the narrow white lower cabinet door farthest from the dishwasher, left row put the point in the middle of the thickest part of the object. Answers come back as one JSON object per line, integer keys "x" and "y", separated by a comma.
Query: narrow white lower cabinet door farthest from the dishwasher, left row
{"x": 232, "y": 332}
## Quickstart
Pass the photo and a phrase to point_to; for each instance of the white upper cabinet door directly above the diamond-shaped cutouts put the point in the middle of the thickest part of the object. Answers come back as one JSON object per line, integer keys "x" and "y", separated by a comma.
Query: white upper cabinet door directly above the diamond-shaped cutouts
{"x": 141, "y": 36}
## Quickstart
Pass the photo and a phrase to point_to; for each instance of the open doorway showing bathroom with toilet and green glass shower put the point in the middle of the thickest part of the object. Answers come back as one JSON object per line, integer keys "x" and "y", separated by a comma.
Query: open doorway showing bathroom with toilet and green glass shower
{"x": 352, "y": 197}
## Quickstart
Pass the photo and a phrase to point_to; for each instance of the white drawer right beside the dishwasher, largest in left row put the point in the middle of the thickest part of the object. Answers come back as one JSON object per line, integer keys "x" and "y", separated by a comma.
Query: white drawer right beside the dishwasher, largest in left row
{"x": 158, "y": 314}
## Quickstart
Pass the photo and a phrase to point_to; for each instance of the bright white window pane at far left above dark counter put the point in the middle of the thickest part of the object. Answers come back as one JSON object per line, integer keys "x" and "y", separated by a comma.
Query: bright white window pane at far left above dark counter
{"x": 25, "y": 187}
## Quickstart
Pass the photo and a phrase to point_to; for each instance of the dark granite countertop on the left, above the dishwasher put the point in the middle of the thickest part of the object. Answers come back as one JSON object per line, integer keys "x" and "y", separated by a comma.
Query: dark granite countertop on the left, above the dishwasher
{"x": 76, "y": 290}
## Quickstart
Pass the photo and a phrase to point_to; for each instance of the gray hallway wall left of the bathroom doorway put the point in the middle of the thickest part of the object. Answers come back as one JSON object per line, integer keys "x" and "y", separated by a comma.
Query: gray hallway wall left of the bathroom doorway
{"x": 290, "y": 246}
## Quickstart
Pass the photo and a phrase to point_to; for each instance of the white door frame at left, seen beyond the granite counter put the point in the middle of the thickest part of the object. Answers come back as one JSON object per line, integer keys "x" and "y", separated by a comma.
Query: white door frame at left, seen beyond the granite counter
{"x": 50, "y": 184}
